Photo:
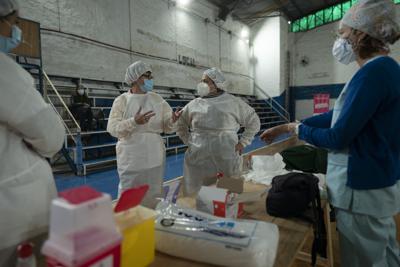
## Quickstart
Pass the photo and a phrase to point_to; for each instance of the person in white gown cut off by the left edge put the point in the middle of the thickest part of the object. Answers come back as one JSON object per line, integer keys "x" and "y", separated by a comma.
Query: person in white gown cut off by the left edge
{"x": 30, "y": 131}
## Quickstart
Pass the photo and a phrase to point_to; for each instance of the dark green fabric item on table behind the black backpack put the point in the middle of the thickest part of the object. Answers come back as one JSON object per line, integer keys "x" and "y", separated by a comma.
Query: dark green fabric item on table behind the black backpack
{"x": 305, "y": 158}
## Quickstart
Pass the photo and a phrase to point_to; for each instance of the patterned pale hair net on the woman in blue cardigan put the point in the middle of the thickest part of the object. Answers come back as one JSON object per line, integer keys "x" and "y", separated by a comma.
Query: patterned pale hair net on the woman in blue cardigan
{"x": 377, "y": 18}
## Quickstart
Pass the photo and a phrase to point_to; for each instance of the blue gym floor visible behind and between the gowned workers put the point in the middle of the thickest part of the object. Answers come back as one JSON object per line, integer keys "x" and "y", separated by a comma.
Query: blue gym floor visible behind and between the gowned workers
{"x": 107, "y": 181}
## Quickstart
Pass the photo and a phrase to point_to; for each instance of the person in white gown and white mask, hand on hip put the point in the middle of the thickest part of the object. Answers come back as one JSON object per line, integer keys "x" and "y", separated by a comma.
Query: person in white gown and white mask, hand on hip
{"x": 209, "y": 125}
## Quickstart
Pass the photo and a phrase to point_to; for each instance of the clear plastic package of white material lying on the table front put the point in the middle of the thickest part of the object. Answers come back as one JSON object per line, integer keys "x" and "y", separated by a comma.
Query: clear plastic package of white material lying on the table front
{"x": 205, "y": 238}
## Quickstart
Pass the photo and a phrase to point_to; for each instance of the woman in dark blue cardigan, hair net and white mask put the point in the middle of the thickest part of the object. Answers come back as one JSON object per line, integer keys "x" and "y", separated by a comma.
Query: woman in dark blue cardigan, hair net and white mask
{"x": 362, "y": 135}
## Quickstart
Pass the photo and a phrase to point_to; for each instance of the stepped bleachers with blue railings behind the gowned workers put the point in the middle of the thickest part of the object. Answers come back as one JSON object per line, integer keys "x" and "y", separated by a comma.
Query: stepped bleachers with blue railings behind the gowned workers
{"x": 98, "y": 147}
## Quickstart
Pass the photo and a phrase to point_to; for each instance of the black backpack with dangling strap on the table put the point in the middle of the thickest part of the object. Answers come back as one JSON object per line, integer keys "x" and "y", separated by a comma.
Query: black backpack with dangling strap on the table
{"x": 290, "y": 196}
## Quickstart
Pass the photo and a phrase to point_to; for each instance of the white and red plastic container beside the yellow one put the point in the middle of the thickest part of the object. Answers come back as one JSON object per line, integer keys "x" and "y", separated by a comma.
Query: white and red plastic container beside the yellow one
{"x": 83, "y": 232}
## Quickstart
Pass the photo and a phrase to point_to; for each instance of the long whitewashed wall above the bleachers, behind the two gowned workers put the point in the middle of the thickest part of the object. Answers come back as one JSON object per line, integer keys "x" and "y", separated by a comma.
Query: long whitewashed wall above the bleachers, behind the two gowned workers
{"x": 150, "y": 27}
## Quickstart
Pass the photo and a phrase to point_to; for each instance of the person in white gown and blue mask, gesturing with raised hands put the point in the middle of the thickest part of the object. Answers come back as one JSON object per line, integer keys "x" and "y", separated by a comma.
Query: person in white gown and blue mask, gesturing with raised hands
{"x": 137, "y": 119}
